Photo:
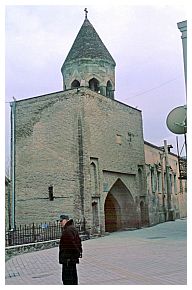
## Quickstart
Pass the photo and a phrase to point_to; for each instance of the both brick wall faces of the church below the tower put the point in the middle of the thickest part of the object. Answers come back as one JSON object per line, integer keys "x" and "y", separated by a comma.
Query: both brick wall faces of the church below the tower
{"x": 57, "y": 137}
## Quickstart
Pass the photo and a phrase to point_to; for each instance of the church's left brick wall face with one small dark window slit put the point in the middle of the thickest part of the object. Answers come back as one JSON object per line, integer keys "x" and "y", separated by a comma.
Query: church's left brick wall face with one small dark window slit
{"x": 46, "y": 154}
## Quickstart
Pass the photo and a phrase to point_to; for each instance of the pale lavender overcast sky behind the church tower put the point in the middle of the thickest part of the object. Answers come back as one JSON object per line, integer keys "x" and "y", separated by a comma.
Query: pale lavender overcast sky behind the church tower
{"x": 143, "y": 40}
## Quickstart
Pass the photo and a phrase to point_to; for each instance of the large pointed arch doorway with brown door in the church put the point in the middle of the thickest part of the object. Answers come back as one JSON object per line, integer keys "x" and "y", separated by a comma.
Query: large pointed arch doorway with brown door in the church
{"x": 120, "y": 208}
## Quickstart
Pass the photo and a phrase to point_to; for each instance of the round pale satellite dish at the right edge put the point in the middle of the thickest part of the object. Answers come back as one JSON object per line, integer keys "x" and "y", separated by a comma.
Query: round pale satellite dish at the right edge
{"x": 177, "y": 120}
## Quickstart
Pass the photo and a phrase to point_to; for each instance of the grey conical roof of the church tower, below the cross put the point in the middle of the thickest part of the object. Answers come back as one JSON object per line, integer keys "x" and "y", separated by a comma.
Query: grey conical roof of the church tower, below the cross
{"x": 88, "y": 45}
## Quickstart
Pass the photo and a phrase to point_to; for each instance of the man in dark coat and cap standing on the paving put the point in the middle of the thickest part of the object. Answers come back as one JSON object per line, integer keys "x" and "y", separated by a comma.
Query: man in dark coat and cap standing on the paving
{"x": 70, "y": 250}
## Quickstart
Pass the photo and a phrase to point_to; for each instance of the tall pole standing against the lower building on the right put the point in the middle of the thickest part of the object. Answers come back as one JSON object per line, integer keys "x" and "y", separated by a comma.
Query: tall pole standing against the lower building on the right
{"x": 169, "y": 191}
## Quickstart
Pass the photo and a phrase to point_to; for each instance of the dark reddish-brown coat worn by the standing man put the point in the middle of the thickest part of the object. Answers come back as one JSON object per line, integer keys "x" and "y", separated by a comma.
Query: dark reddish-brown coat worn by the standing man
{"x": 70, "y": 247}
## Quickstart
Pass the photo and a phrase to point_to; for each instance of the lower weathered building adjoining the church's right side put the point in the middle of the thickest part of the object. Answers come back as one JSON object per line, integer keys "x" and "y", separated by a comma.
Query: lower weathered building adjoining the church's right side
{"x": 166, "y": 184}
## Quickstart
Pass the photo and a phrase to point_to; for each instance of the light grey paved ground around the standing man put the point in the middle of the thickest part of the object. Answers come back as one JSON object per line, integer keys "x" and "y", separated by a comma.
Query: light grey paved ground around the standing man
{"x": 149, "y": 256}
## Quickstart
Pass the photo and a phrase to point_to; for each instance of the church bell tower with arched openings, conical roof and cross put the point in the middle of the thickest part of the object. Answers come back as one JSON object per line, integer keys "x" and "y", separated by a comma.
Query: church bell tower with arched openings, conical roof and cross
{"x": 89, "y": 63}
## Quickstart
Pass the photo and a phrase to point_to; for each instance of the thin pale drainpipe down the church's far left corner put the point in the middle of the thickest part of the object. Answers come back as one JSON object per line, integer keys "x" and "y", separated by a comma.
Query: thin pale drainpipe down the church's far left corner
{"x": 13, "y": 109}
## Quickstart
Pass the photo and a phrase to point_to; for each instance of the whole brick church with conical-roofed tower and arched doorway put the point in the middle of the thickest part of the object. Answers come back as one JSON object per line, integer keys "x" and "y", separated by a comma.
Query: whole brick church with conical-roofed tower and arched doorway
{"x": 80, "y": 151}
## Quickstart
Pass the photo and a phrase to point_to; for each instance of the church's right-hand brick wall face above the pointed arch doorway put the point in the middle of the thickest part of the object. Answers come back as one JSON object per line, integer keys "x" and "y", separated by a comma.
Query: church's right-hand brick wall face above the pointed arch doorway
{"x": 113, "y": 138}
